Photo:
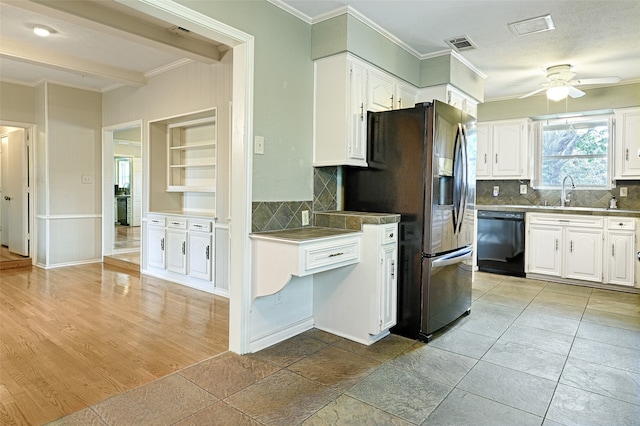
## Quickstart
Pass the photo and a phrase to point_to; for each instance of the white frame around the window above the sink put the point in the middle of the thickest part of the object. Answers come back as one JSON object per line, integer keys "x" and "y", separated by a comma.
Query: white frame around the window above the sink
{"x": 538, "y": 127}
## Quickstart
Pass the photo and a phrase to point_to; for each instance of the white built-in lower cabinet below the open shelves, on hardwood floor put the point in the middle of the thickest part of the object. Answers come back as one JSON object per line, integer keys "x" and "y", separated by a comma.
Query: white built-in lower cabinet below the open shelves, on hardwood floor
{"x": 181, "y": 249}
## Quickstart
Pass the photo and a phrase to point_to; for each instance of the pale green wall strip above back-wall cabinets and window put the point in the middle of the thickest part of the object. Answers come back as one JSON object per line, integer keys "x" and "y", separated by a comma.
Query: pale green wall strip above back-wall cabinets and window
{"x": 626, "y": 95}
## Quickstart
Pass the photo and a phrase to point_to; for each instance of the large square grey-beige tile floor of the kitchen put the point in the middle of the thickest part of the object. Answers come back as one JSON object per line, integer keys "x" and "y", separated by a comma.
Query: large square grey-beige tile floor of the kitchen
{"x": 530, "y": 352}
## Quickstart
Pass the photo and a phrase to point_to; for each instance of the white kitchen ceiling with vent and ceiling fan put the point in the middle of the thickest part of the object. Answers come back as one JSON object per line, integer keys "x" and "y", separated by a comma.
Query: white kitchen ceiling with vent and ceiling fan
{"x": 599, "y": 38}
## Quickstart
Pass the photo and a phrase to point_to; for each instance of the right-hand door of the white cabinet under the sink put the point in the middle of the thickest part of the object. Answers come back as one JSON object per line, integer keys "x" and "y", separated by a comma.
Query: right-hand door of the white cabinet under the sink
{"x": 583, "y": 248}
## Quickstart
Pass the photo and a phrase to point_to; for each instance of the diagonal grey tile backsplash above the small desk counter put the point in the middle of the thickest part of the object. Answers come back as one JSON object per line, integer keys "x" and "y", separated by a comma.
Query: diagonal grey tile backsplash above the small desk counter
{"x": 277, "y": 215}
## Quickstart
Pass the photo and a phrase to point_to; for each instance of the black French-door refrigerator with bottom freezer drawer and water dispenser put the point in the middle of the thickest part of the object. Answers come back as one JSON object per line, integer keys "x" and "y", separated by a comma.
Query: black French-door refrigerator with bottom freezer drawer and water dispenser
{"x": 421, "y": 164}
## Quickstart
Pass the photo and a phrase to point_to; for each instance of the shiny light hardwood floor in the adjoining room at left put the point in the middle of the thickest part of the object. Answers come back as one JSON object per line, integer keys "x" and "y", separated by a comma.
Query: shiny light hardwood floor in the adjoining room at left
{"x": 71, "y": 337}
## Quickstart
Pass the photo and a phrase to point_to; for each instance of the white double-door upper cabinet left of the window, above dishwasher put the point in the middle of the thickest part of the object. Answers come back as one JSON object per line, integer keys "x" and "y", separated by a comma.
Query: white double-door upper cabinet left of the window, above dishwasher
{"x": 502, "y": 148}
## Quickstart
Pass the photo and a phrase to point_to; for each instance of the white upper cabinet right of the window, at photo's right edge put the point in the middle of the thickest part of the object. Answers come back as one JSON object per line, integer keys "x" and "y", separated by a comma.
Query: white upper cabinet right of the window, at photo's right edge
{"x": 627, "y": 144}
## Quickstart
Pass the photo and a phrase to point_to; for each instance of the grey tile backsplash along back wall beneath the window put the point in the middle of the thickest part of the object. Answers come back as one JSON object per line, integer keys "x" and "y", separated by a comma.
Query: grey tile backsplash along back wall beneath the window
{"x": 510, "y": 194}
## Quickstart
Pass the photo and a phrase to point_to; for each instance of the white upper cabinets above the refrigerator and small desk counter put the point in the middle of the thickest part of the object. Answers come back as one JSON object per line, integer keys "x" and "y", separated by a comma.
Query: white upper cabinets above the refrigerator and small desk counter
{"x": 345, "y": 89}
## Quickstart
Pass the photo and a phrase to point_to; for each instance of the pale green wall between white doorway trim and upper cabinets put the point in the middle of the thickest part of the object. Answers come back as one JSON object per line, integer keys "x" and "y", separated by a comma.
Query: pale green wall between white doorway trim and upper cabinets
{"x": 283, "y": 94}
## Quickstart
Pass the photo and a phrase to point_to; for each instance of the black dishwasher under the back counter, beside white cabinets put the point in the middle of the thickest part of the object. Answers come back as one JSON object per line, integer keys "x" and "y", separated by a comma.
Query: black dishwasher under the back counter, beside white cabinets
{"x": 501, "y": 242}
